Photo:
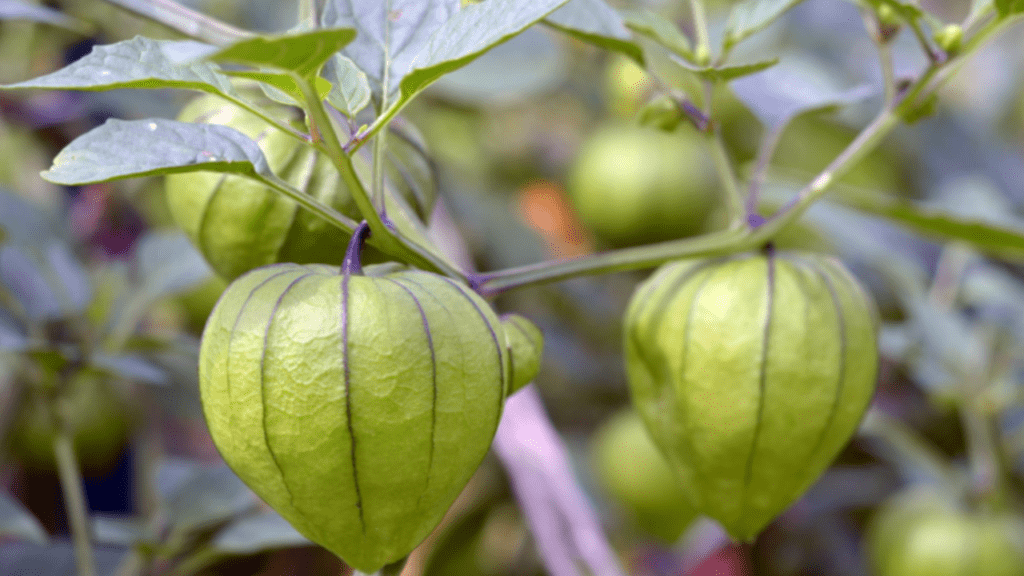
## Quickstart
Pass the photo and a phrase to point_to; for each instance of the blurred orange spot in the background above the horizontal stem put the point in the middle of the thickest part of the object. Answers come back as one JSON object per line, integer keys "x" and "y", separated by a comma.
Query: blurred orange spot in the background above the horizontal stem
{"x": 544, "y": 207}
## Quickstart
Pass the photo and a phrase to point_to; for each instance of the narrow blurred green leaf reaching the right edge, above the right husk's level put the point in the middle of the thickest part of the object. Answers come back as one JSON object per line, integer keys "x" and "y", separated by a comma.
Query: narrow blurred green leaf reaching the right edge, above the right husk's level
{"x": 998, "y": 240}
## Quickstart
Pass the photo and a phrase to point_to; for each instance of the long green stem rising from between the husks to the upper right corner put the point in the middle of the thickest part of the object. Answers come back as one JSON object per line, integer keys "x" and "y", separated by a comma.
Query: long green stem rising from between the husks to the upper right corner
{"x": 743, "y": 239}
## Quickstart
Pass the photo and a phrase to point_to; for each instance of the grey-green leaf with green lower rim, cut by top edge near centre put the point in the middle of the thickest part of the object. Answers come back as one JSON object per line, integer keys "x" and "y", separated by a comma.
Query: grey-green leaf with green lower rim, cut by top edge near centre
{"x": 598, "y": 23}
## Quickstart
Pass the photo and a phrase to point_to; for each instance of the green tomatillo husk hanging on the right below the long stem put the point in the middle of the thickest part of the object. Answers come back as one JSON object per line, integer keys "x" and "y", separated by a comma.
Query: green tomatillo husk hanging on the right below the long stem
{"x": 751, "y": 373}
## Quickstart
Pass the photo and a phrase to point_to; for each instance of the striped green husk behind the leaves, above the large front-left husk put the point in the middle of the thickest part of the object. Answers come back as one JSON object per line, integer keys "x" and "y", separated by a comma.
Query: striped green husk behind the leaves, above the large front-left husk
{"x": 240, "y": 225}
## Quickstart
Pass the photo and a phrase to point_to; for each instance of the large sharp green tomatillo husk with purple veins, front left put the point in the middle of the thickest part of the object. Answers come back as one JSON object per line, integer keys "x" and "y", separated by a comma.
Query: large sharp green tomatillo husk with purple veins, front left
{"x": 357, "y": 406}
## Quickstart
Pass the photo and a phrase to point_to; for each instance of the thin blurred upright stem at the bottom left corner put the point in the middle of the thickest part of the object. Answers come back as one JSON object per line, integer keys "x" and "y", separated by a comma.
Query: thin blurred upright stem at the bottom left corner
{"x": 75, "y": 503}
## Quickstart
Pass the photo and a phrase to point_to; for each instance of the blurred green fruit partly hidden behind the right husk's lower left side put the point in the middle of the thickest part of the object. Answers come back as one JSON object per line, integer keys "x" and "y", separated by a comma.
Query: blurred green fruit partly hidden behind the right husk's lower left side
{"x": 633, "y": 470}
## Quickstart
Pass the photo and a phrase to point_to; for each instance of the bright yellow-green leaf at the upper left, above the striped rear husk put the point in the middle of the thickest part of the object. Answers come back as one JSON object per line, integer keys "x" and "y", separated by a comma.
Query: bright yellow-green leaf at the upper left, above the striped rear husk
{"x": 303, "y": 53}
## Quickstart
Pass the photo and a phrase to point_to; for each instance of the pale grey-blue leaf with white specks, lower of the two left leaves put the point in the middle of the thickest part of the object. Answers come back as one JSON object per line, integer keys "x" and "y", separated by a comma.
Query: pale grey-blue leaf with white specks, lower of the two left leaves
{"x": 121, "y": 149}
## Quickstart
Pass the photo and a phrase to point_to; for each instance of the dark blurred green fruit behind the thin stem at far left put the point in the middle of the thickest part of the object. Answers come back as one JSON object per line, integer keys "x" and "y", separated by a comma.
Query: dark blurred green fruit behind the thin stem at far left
{"x": 99, "y": 420}
